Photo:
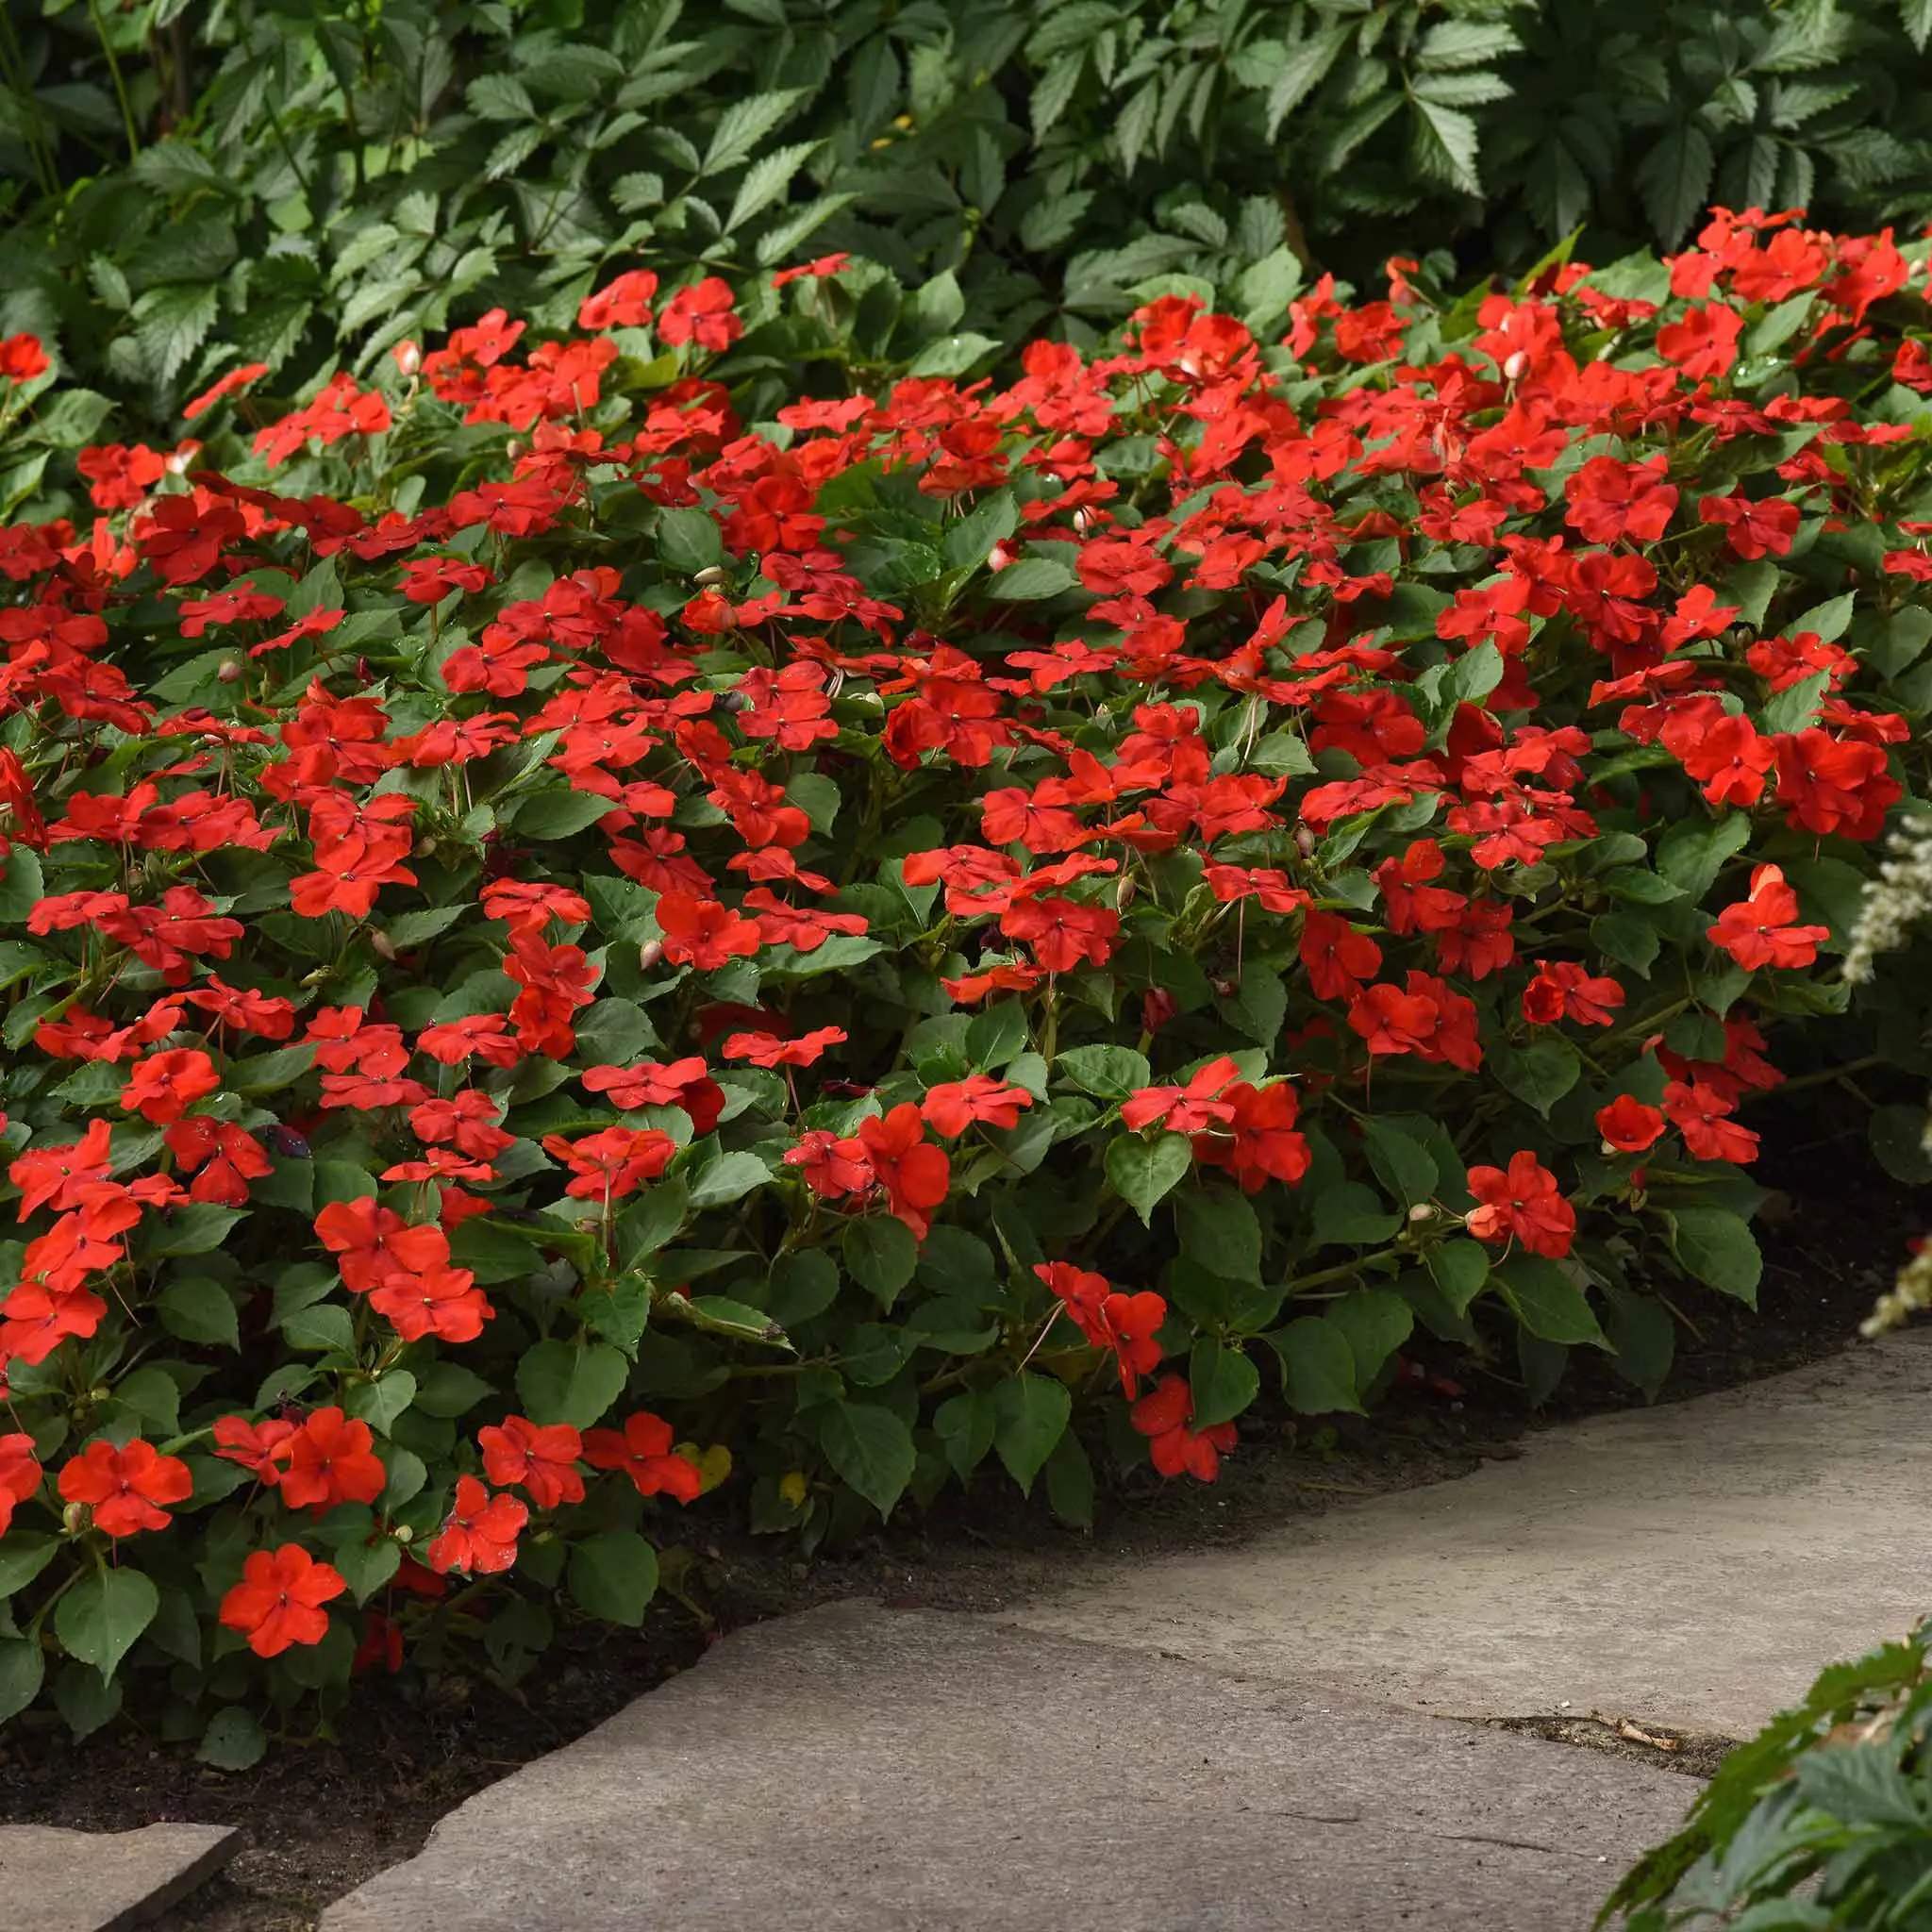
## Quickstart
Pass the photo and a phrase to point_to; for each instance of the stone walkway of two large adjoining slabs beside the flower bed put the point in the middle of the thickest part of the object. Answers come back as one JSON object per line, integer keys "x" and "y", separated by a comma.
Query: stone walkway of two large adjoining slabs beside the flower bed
{"x": 1257, "y": 1738}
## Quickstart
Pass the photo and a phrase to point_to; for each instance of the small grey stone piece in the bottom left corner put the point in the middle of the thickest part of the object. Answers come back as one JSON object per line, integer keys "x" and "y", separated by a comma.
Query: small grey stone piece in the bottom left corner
{"x": 57, "y": 1881}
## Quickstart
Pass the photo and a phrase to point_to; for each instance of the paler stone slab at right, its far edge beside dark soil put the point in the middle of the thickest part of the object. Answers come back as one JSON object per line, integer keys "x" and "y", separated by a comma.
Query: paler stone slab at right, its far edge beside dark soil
{"x": 1691, "y": 1564}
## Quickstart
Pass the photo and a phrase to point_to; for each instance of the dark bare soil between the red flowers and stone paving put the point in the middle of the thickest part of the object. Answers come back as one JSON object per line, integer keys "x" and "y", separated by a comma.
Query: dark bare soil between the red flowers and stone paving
{"x": 326, "y": 1817}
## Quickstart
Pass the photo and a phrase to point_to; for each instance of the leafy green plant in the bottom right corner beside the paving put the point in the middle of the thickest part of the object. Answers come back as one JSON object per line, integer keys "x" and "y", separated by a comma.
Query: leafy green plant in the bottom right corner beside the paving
{"x": 1831, "y": 1802}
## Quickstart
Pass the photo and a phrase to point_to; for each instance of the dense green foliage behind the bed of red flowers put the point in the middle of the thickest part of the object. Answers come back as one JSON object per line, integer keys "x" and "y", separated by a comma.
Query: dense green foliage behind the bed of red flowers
{"x": 300, "y": 181}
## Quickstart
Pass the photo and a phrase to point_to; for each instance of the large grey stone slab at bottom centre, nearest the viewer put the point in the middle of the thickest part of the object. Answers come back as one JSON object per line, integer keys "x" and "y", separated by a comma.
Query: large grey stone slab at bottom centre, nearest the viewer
{"x": 923, "y": 1773}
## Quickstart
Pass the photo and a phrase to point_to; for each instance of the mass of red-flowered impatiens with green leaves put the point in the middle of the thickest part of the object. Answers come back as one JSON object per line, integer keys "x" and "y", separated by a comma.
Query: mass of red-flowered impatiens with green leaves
{"x": 598, "y": 928}
